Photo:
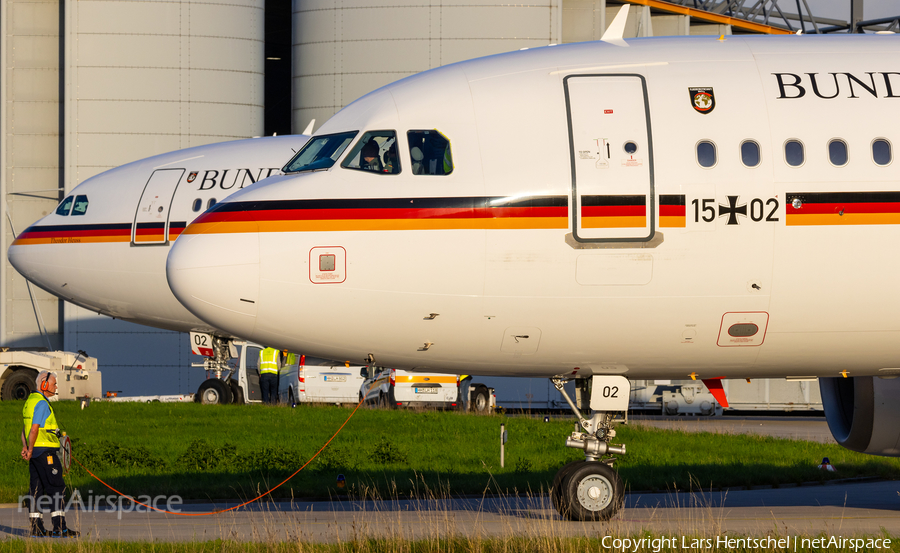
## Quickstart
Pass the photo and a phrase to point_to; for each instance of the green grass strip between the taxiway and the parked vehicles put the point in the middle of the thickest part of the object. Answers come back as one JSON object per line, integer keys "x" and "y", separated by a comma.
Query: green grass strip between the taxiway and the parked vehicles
{"x": 225, "y": 452}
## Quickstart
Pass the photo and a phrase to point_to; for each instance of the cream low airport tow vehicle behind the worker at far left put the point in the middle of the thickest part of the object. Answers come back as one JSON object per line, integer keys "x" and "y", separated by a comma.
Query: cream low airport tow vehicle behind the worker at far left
{"x": 76, "y": 373}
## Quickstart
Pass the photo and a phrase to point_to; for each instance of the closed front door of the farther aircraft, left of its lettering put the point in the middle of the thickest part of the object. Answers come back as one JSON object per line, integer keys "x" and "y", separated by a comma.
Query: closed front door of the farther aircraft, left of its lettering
{"x": 151, "y": 220}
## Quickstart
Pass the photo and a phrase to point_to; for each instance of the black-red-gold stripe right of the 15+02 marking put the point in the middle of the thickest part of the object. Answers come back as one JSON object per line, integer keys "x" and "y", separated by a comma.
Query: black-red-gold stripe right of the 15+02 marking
{"x": 842, "y": 208}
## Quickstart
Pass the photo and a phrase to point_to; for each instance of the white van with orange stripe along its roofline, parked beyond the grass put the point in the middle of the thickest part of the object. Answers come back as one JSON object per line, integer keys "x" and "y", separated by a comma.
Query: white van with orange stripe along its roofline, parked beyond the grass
{"x": 397, "y": 388}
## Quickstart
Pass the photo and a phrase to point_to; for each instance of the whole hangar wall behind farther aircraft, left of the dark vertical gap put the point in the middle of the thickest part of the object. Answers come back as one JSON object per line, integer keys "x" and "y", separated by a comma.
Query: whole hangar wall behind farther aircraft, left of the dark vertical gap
{"x": 89, "y": 85}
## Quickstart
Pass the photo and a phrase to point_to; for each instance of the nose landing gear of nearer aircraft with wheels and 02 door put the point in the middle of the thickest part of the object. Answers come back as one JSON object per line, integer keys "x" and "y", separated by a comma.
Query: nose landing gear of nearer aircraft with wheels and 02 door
{"x": 591, "y": 489}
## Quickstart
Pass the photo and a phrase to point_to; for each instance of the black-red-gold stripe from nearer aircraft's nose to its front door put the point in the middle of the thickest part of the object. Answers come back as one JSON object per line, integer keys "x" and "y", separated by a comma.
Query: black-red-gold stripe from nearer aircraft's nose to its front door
{"x": 538, "y": 212}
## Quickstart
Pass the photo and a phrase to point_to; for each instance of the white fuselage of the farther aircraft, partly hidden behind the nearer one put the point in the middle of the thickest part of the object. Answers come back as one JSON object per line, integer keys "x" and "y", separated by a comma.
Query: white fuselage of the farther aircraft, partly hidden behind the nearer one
{"x": 105, "y": 247}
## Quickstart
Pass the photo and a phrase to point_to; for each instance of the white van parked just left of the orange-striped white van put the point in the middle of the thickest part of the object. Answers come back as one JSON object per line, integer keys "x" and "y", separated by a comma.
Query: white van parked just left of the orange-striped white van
{"x": 315, "y": 380}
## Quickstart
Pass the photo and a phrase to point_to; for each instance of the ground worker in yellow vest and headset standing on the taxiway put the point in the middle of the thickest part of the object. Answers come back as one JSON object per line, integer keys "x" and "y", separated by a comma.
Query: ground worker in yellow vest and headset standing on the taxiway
{"x": 40, "y": 439}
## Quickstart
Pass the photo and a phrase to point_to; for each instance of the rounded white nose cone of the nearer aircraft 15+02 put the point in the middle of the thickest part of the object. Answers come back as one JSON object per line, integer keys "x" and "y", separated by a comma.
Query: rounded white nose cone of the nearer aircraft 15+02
{"x": 216, "y": 277}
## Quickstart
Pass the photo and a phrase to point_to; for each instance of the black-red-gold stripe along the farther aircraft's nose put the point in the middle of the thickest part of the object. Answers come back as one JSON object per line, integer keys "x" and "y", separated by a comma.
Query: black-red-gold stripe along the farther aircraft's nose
{"x": 96, "y": 233}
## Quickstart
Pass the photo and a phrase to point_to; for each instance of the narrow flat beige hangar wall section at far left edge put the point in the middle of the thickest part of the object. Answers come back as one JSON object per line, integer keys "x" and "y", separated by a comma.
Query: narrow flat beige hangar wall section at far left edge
{"x": 30, "y": 171}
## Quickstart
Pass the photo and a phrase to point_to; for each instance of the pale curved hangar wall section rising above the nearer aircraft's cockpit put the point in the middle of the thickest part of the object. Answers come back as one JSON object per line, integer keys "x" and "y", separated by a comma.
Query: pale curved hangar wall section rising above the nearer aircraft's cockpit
{"x": 343, "y": 49}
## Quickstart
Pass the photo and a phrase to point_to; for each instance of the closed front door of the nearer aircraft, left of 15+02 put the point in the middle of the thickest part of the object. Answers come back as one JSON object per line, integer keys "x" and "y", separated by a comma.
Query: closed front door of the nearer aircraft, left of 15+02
{"x": 611, "y": 158}
